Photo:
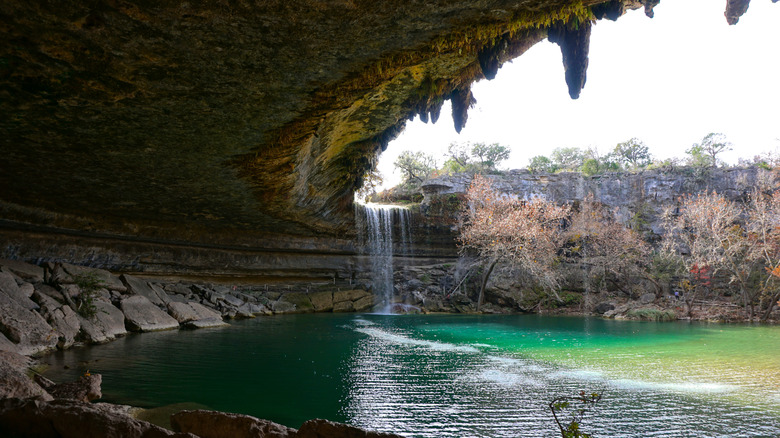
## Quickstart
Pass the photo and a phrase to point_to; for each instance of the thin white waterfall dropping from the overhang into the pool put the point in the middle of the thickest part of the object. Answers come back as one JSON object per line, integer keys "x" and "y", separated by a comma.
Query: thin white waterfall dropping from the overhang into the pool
{"x": 381, "y": 222}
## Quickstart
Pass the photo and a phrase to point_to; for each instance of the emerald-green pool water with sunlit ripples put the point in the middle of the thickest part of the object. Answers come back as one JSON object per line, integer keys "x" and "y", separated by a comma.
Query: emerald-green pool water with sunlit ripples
{"x": 453, "y": 375}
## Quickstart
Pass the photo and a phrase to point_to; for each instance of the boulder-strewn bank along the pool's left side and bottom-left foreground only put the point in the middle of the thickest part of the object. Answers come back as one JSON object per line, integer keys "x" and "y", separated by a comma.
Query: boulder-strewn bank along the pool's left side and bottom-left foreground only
{"x": 59, "y": 306}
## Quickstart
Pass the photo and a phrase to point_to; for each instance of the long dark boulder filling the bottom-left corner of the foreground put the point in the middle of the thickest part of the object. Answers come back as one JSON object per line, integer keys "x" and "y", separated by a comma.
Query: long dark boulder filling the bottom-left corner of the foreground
{"x": 72, "y": 419}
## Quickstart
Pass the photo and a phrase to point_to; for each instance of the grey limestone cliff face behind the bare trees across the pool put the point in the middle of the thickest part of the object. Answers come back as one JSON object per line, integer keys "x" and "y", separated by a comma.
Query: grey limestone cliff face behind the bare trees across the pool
{"x": 638, "y": 198}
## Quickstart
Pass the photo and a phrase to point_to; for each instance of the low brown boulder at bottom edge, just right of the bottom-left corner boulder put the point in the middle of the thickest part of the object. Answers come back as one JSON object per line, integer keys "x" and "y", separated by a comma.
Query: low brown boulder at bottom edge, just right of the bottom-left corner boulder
{"x": 212, "y": 424}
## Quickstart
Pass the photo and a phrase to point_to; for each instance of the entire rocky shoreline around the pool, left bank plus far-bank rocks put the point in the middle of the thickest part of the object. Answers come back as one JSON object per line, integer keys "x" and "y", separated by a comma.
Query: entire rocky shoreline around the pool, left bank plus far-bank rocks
{"x": 59, "y": 306}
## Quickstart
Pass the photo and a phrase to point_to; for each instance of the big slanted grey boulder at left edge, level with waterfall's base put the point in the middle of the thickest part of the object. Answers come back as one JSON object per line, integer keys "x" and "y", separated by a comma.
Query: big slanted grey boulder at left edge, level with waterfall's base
{"x": 26, "y": 328}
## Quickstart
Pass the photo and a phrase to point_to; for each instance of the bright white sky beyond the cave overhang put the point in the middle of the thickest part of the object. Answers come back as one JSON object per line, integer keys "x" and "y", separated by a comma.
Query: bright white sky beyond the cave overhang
{"x": 668, "y": 81}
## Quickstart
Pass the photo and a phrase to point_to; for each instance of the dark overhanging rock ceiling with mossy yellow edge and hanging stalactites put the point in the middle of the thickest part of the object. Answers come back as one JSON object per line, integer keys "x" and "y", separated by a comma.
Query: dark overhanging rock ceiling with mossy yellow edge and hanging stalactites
{"x": 188, "y": 119}
